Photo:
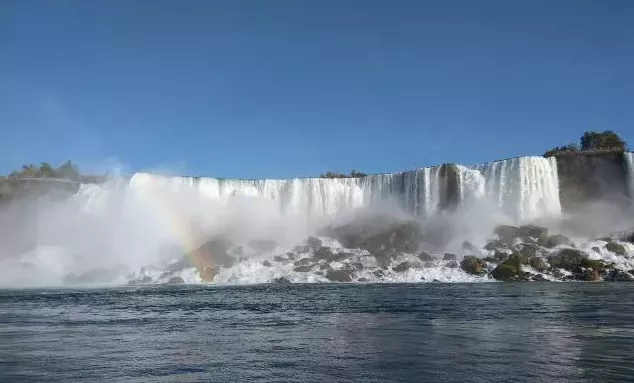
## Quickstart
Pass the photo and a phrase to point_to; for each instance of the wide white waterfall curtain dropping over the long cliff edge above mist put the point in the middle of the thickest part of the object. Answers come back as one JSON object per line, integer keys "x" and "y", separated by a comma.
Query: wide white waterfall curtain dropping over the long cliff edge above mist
{"x": 523, "y": 188}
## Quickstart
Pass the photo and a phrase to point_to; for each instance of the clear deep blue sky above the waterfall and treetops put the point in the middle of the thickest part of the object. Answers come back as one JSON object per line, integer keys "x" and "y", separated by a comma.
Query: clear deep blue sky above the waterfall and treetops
{"x": 284, "y": 88}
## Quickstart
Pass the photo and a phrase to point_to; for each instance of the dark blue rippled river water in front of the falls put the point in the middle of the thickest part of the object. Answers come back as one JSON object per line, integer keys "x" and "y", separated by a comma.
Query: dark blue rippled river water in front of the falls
{"x": 531, "y": 332}
